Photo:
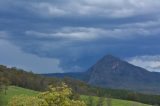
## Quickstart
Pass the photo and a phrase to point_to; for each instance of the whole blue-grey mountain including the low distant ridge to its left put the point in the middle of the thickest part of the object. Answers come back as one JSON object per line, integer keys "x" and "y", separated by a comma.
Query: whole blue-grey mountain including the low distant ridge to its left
{"x": 113, "y": 72}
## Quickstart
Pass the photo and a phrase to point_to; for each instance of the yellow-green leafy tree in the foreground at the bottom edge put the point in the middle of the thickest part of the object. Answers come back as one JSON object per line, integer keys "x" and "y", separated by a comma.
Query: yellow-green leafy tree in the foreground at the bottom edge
{"x": 55, "y": 96}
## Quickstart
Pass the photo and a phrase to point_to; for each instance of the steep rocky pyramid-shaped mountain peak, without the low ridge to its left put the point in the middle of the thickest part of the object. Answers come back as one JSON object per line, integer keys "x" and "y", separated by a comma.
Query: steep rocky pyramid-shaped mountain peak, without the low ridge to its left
{"x": 113, "y": 72}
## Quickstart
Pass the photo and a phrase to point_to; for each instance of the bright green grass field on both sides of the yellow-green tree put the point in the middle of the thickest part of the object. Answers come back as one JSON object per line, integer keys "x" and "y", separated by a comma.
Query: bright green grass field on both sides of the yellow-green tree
{"x": 12, "y": 91}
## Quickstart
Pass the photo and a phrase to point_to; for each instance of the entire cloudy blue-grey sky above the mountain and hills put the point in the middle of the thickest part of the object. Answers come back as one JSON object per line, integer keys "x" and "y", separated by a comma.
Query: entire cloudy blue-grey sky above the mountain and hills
{"x": 50, "y": 36}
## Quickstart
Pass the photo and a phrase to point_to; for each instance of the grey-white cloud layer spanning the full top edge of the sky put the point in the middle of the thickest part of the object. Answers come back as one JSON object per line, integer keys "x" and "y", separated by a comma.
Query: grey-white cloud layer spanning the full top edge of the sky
{"x": 86, "y": 8}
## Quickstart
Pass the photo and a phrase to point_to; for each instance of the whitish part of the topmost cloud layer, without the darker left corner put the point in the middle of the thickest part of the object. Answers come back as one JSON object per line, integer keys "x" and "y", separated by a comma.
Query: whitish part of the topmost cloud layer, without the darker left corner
{"x": 101, "y": 8}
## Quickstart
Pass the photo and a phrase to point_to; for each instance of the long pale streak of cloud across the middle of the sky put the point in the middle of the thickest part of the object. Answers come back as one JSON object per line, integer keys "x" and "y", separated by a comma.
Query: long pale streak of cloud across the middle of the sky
{"x": 91, "y": 33}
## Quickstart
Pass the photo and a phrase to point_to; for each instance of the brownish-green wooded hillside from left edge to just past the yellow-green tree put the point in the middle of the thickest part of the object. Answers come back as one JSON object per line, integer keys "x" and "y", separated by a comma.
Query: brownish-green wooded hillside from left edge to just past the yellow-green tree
{"x": 36, "y": 82}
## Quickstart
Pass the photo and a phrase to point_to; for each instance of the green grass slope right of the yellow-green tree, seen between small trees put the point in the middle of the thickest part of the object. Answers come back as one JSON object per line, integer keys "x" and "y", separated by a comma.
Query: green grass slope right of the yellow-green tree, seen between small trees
{"x": 114, "y": 102}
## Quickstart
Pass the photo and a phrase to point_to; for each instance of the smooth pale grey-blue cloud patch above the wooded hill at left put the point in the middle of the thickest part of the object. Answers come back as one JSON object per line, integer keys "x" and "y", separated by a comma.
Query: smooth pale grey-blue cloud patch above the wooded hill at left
{"x": 12, "y": 56}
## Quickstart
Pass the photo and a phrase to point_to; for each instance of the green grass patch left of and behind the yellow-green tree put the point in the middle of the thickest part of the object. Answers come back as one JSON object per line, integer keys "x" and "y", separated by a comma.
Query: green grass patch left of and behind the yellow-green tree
{"x": 14, "y": 91}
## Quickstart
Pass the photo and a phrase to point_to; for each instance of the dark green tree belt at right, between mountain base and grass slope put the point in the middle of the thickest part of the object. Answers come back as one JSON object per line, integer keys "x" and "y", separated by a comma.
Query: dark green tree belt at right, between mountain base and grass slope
{"x": 126, "y": 95}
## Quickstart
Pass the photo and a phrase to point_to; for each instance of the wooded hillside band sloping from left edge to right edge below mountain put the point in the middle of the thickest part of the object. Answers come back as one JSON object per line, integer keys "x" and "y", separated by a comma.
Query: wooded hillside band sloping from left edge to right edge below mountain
{"x": 21, "y": 78}
